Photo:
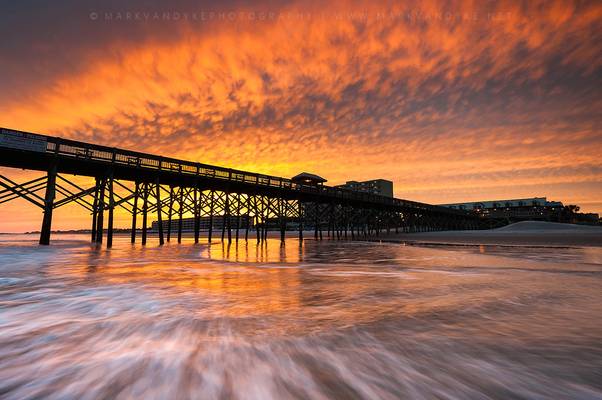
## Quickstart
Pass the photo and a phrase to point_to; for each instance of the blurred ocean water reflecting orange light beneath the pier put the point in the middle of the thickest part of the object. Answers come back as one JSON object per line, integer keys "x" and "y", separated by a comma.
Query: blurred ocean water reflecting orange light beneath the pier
{"x": 325, "y": 320}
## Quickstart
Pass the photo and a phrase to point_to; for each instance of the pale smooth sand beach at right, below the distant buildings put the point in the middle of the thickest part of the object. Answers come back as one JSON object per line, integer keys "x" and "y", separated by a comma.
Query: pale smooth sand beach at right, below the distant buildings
{"x": 529, "y": 233}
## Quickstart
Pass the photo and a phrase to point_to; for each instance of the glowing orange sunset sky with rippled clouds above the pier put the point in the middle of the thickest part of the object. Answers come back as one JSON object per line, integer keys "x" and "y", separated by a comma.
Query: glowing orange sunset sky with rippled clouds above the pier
{"x": 451, "y": 100}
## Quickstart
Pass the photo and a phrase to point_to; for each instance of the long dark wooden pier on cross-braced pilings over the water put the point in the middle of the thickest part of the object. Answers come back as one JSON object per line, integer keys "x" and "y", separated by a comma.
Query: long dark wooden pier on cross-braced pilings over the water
{"x": 145, "y": 184}
